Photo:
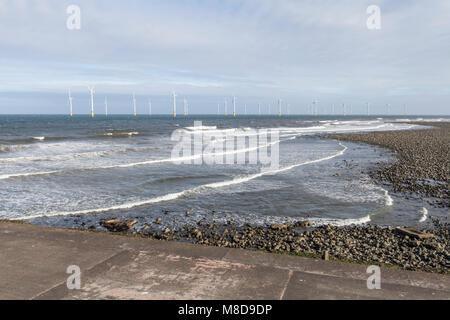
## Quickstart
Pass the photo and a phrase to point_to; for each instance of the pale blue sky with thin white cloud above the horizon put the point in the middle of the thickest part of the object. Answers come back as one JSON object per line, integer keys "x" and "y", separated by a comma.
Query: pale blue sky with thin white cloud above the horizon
{"x": 210, "y": 50}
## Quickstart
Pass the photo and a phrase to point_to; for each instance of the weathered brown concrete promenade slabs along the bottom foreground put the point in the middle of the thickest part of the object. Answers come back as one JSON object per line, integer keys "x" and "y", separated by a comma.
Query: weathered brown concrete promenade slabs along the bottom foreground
{"x": 34, "y": 260}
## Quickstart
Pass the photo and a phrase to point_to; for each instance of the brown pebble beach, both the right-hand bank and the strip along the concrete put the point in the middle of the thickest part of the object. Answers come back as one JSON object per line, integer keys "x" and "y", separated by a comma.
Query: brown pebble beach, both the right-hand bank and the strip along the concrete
{"x": 421, "y": 155}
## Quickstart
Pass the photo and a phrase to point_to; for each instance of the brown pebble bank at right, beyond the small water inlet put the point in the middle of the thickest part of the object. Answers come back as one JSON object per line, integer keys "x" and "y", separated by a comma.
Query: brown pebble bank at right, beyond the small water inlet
{"x": 422, "y": 165}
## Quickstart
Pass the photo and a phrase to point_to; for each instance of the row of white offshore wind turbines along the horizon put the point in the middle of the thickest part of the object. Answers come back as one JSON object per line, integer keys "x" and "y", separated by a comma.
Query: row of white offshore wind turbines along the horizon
{"x": 312, "y": 108}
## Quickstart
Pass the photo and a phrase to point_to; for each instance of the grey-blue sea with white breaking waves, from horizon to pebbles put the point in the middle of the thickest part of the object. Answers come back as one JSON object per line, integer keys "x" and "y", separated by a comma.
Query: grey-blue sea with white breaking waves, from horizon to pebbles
{"x": 67, "y": 172}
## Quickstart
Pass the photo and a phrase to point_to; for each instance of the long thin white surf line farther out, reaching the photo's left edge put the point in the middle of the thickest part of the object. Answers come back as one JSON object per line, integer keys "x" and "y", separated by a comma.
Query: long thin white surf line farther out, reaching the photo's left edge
{"x": 151, "y": 162}
